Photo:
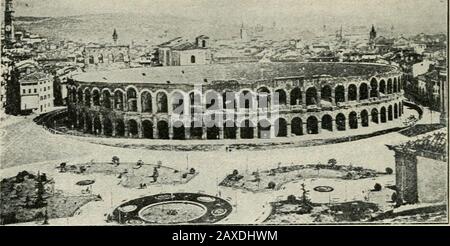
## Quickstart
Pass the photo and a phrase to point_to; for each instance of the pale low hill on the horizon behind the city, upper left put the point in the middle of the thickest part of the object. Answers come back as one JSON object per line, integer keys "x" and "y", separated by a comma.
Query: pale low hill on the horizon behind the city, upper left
{"x": 99, "y": 27}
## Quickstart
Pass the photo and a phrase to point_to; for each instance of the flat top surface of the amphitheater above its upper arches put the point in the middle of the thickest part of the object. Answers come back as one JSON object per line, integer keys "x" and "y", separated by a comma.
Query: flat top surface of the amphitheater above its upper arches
{"x": 241, "y": 72}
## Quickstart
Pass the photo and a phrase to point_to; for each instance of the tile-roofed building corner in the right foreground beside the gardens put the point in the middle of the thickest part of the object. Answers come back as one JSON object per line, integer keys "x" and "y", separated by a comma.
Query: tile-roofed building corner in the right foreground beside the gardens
{"x": 419, "y": 169}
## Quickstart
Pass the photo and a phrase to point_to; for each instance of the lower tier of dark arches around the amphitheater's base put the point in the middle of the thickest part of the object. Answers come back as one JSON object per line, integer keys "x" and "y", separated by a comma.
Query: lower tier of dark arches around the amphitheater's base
{"x": 283, "y": 126}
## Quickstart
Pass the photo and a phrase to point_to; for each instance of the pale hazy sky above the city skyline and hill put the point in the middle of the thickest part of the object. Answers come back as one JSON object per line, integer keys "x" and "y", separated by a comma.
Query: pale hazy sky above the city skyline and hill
{"x": 408, "y": 14}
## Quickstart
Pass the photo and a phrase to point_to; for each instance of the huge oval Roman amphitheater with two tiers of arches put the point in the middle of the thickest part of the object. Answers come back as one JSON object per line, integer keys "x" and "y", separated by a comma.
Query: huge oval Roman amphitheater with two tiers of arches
{"x": 235, "y": 101}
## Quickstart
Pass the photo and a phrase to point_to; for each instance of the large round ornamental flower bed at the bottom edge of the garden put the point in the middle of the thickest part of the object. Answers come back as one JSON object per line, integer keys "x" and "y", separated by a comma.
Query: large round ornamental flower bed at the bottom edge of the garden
{"x": 172, "y": 208}
